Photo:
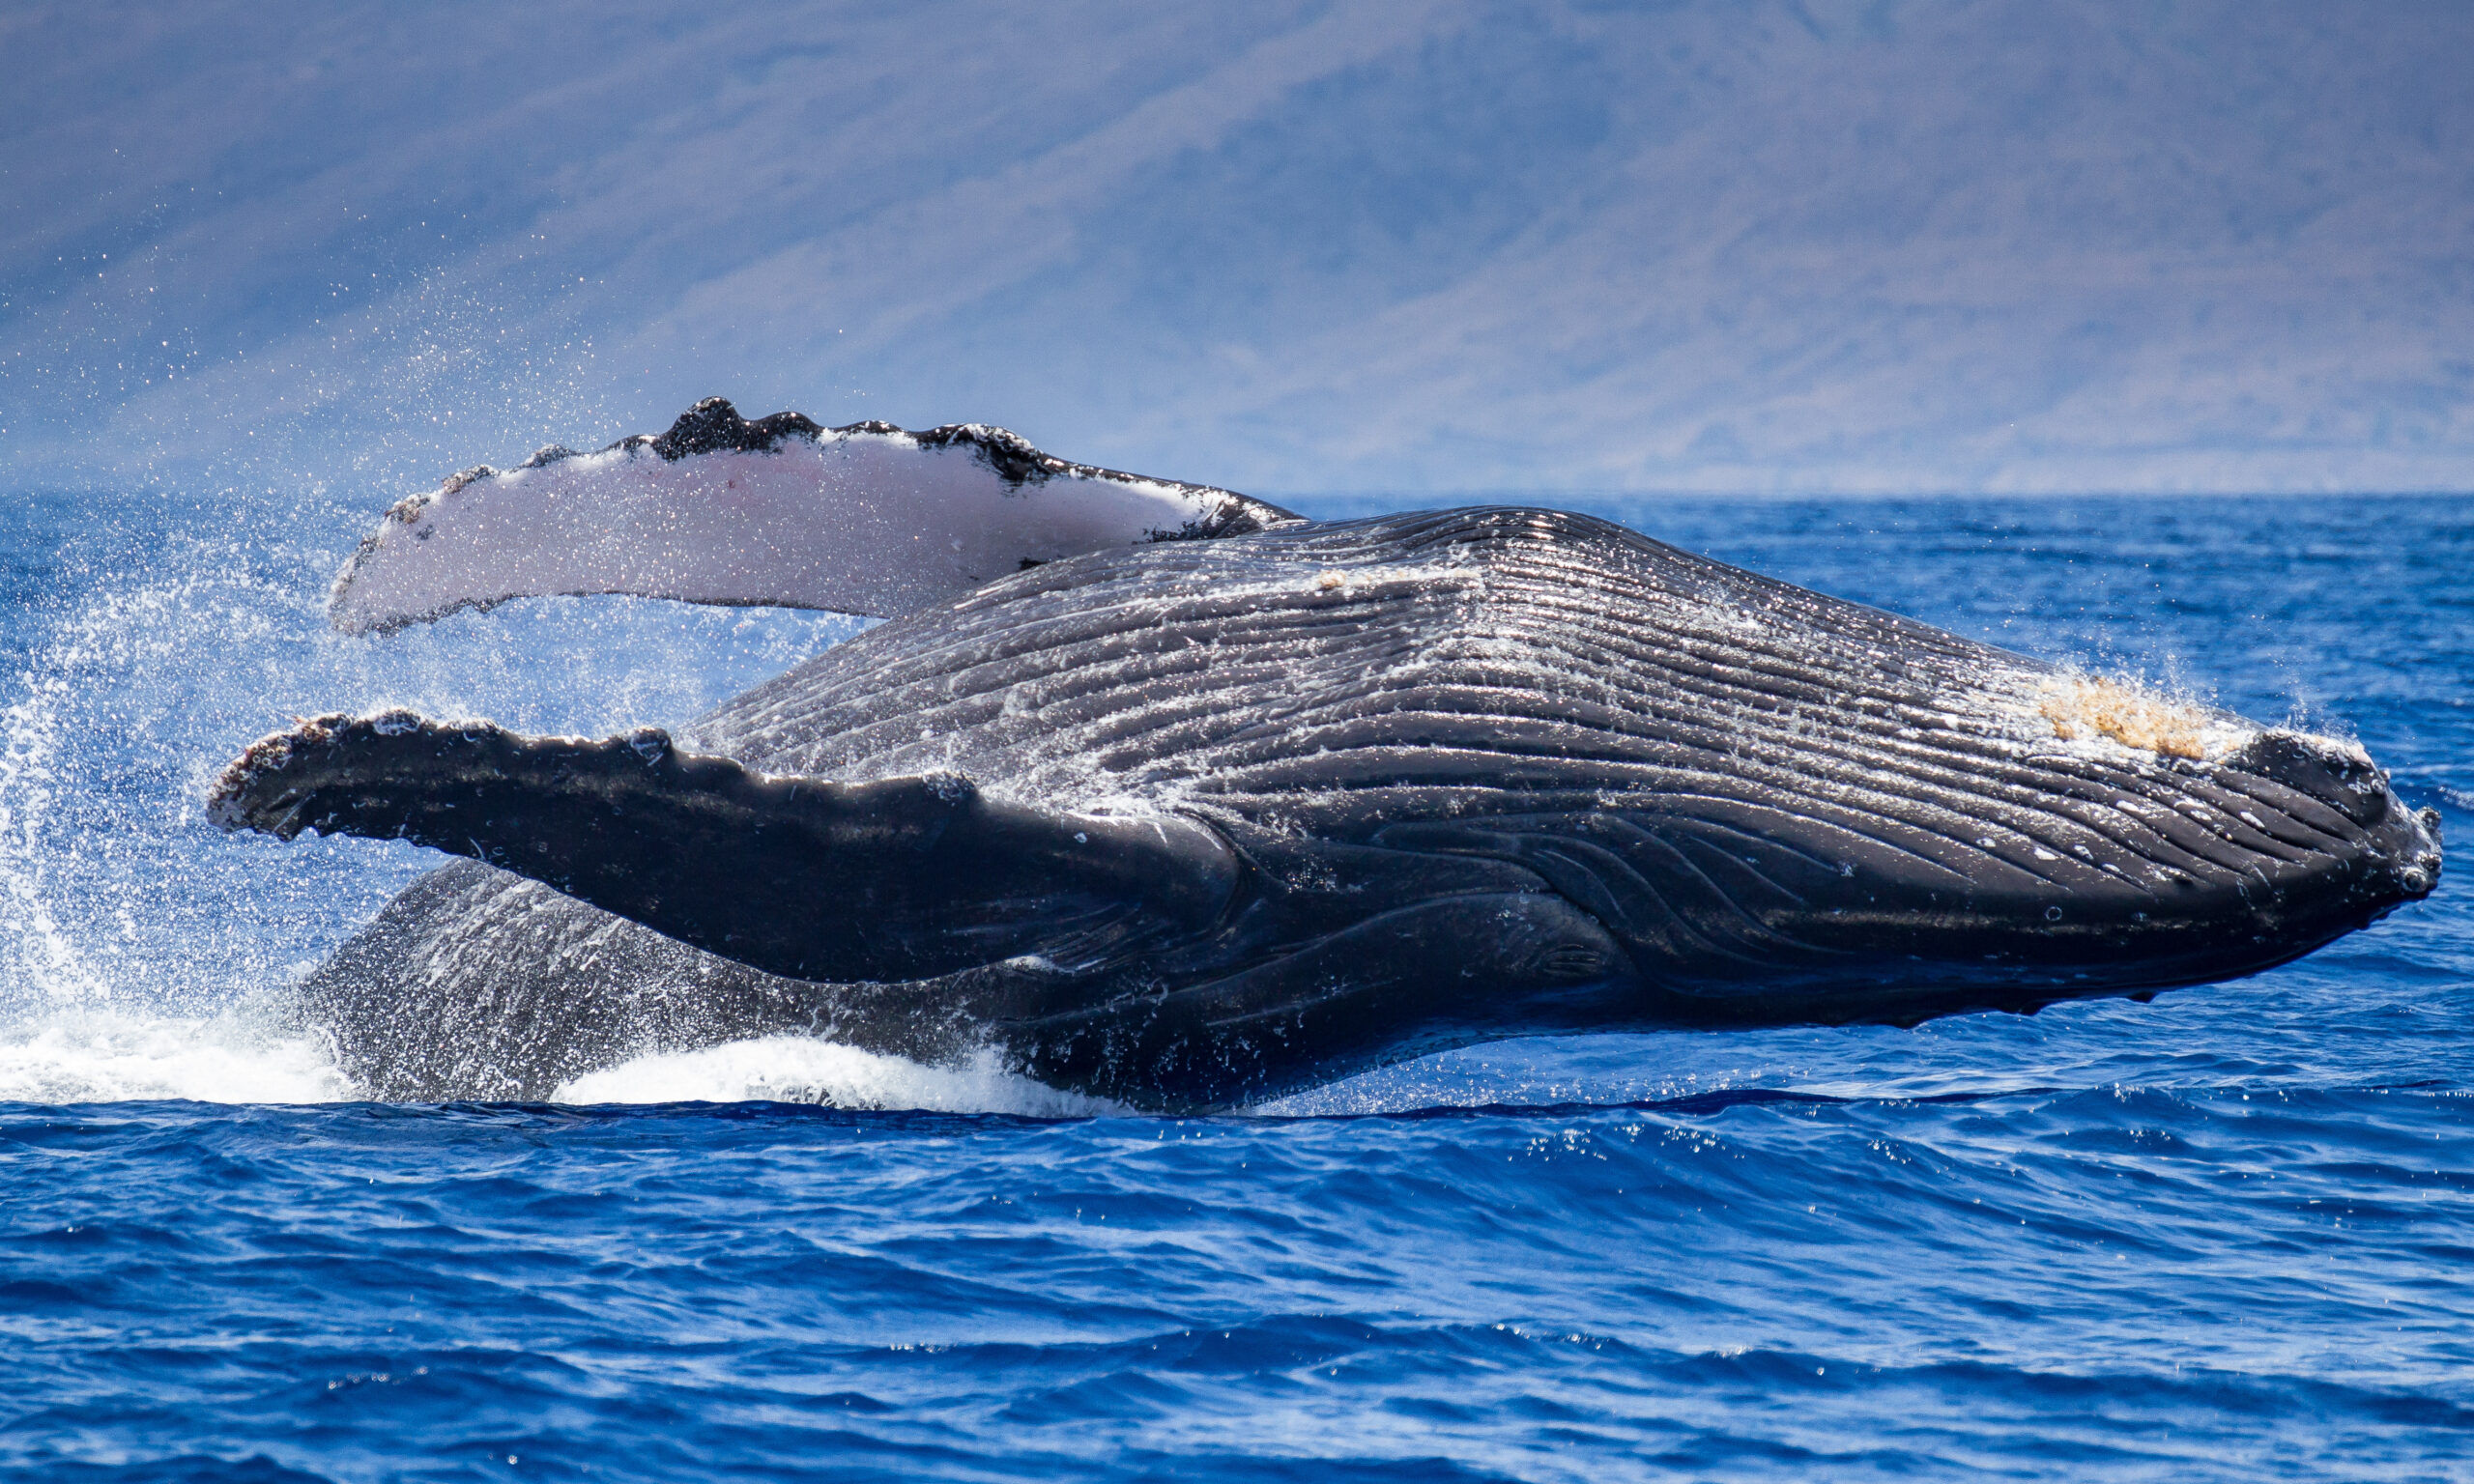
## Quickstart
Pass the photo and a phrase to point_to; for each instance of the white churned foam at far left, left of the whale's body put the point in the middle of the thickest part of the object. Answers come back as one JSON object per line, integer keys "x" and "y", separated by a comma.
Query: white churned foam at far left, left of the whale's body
{"x": 98, "y": 1055}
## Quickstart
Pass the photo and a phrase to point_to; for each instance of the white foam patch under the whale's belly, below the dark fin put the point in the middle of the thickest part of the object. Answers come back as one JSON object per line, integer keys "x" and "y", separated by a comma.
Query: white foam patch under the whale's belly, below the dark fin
{"x": 800, "y": 1070}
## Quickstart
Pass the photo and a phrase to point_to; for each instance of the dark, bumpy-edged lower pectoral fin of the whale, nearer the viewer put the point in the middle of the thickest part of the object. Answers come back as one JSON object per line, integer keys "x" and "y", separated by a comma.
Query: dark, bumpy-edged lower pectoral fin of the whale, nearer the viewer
{"x": 897, "y": 879}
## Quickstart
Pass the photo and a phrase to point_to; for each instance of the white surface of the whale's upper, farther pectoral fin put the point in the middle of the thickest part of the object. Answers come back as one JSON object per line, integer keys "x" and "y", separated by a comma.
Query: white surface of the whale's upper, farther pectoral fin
{"x": 850, "y": 523}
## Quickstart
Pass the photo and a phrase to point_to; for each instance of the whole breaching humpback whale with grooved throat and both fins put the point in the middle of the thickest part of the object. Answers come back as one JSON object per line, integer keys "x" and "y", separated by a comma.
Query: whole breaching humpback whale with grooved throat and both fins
{"x": 1174, "y": 798}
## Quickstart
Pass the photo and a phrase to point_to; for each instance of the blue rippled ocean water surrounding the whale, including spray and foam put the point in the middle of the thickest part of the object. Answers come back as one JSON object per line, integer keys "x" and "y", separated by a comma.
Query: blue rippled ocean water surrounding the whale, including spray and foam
{"x": 2228, "y": 1235}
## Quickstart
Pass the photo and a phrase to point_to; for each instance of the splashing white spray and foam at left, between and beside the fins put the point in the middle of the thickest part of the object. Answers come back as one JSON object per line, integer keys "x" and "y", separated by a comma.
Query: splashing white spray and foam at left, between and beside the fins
{"x": 169, "y": 637}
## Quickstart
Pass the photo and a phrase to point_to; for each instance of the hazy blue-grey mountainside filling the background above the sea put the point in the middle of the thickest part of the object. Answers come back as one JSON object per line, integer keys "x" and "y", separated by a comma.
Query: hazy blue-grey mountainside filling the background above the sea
{"x": 1421, "y": 249}
